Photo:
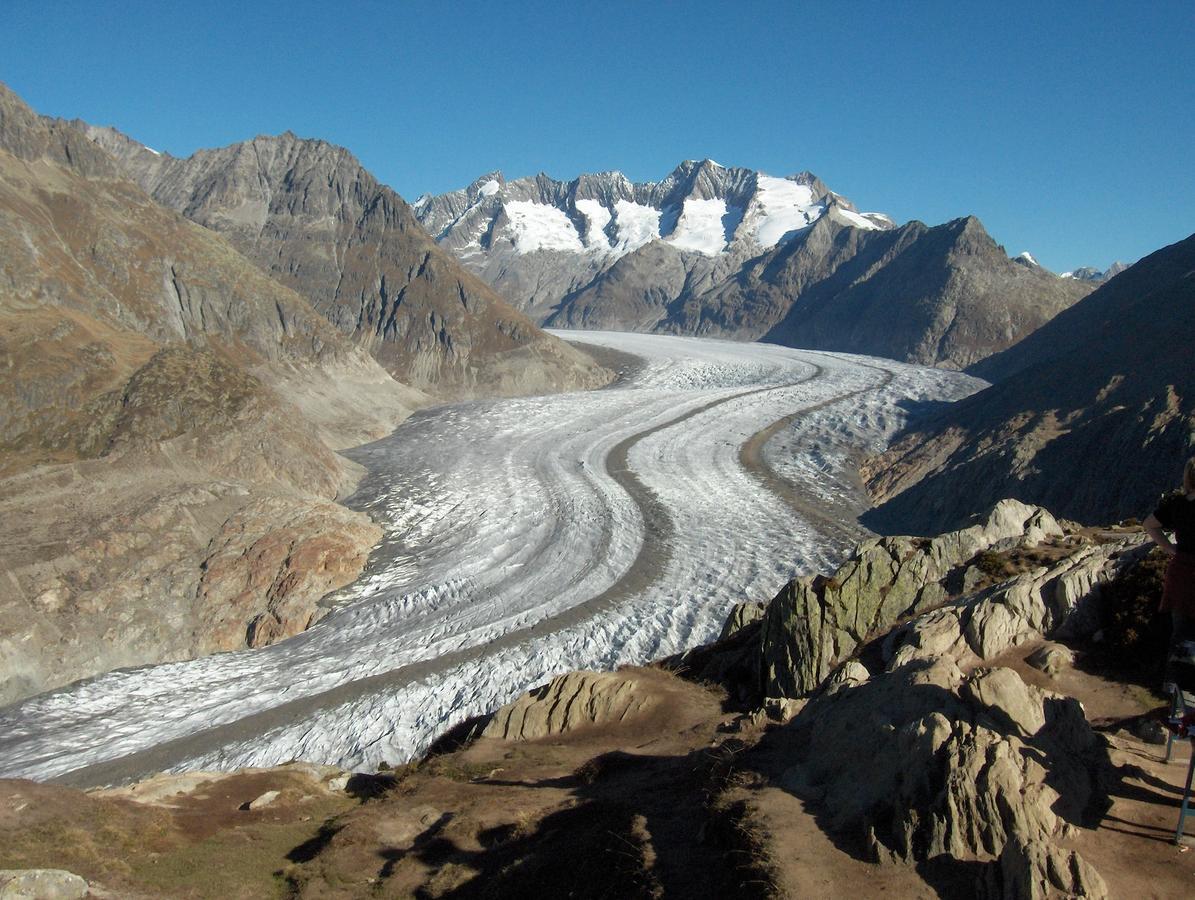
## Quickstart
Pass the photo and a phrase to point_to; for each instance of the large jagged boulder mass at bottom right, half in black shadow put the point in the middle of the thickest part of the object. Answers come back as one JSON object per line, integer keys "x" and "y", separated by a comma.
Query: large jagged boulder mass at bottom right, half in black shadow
{"x": 976, "y": 767}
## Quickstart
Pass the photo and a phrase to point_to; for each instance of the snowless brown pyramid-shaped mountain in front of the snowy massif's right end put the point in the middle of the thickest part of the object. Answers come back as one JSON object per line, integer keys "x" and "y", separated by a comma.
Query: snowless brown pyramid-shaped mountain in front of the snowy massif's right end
{"x": 945, "y": 296}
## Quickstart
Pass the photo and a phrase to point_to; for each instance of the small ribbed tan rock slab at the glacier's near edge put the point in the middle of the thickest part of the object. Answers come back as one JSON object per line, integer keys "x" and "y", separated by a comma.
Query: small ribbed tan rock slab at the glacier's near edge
{"x": 574, "y": 701}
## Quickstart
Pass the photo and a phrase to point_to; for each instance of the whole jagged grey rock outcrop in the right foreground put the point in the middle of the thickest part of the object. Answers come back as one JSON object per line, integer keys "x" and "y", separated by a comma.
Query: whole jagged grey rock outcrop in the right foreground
{"x": 963, "y": 758}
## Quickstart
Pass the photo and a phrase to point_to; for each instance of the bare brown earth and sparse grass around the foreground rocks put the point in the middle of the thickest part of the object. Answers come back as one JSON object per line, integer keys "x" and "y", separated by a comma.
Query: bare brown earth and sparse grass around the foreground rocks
{"x": 685, "y": 800}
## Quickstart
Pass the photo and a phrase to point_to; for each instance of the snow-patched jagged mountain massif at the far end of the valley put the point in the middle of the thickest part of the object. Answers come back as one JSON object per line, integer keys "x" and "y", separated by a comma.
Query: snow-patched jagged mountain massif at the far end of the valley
{"x": 538, "y": 238}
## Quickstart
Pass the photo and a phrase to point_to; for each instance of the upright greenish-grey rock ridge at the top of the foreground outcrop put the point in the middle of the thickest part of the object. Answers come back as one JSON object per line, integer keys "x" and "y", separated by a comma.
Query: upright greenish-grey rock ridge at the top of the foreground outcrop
{"x": 816, "y": 623}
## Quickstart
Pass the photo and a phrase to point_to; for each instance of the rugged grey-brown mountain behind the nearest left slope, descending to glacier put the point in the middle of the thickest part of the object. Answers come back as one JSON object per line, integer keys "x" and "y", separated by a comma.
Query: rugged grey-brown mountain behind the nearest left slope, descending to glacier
{"x": 311, "y": 217}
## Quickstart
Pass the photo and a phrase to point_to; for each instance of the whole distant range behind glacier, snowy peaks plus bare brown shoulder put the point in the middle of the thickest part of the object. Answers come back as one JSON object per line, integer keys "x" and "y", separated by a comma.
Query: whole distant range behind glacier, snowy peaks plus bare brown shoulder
{"x": 734, "y": 253}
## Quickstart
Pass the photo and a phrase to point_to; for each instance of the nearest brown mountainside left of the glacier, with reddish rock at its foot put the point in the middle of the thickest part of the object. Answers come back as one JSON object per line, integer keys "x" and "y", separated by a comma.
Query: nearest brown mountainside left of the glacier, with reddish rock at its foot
{"x": 167, "y": 427}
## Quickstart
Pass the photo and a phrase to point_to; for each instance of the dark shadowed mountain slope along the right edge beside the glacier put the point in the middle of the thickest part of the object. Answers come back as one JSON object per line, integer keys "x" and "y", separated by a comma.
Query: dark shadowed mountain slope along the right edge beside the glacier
{"x": 1095, "y": 414}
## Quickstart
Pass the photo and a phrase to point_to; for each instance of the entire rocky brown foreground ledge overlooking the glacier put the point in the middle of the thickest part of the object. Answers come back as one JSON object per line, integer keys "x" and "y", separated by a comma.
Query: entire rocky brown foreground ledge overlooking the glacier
{"x": 930, "y": 720}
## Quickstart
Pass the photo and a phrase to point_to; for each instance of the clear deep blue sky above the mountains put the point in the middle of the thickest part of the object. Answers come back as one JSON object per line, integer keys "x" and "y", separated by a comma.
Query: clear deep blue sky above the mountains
{"x": 1068, "y": 128}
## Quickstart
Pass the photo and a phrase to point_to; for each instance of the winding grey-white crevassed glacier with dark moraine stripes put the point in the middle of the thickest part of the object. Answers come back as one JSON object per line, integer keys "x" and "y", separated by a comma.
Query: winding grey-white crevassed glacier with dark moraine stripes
{"x": 511, "y": 555}
